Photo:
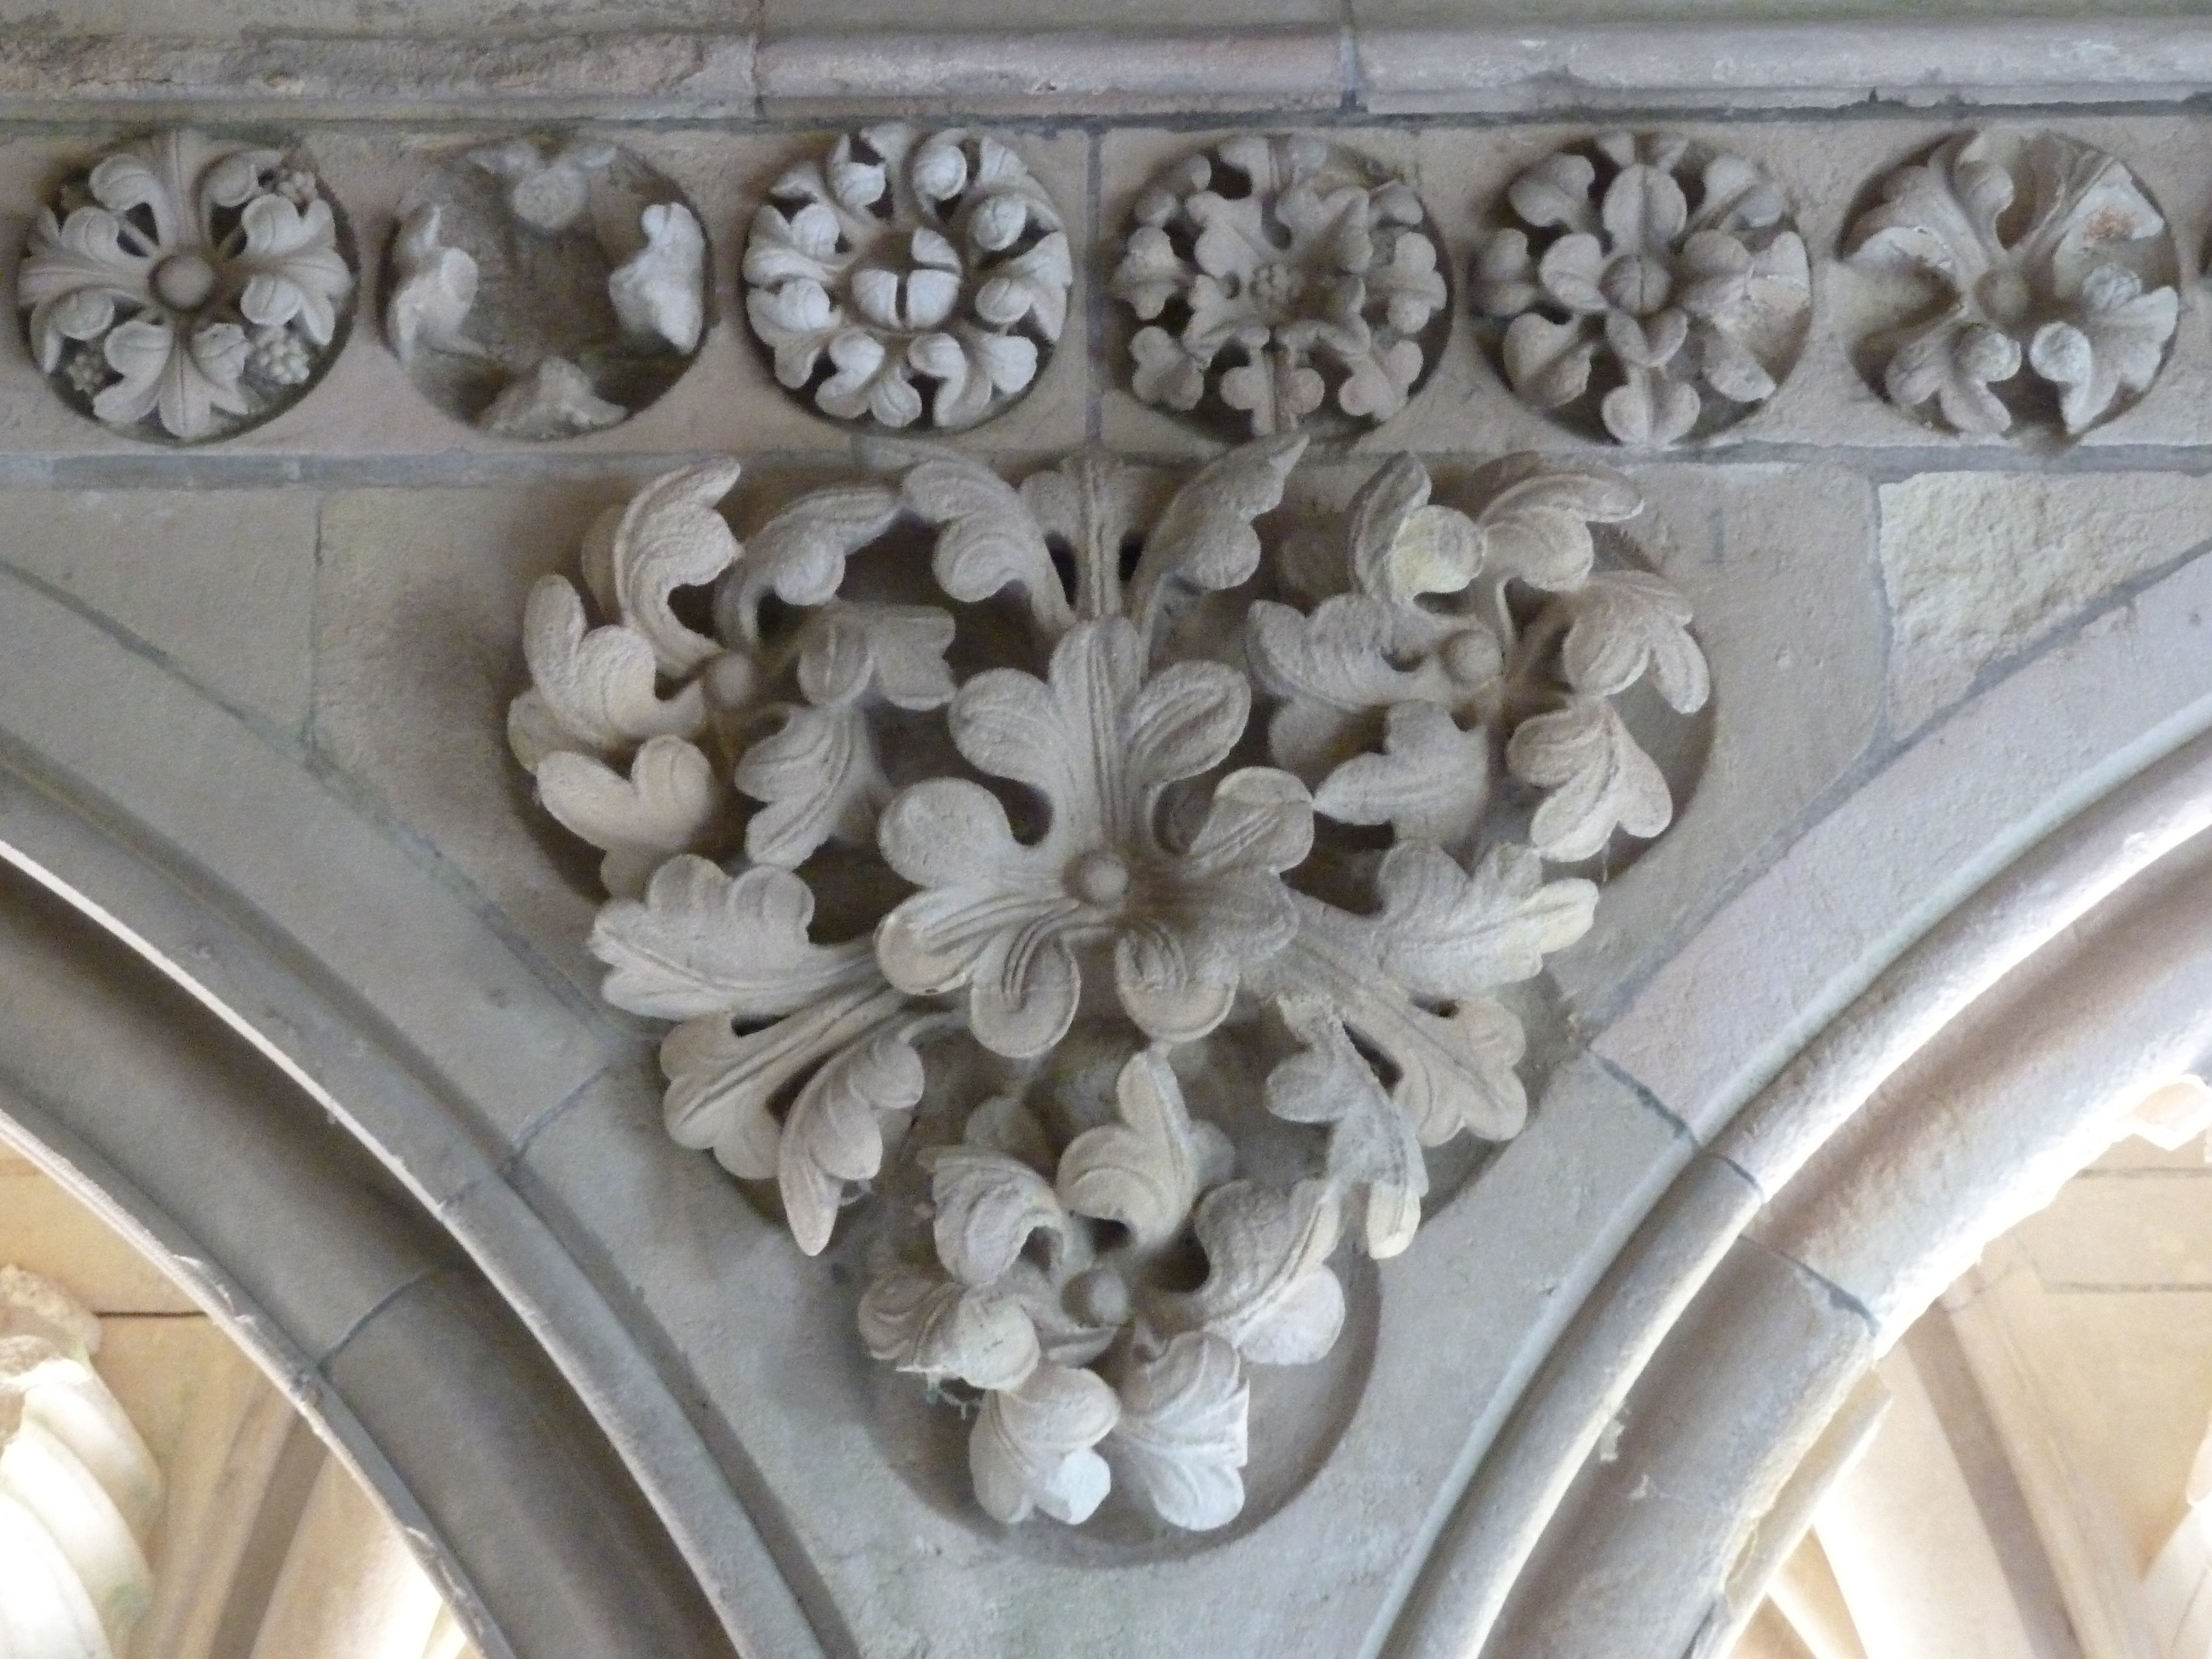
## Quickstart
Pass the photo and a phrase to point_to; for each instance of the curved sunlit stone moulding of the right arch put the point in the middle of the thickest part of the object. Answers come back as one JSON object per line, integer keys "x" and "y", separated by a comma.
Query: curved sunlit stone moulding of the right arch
{"x": 1948, "y": 1100}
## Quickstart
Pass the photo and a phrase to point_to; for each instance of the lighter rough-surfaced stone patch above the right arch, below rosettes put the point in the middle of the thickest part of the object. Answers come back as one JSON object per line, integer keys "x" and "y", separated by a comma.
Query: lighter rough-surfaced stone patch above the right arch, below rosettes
{"x": 1979, "y": 567}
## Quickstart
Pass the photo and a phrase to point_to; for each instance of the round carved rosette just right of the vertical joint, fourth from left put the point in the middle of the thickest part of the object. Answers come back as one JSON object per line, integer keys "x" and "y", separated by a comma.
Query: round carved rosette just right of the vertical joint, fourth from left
{"x": 1282, "y": 284}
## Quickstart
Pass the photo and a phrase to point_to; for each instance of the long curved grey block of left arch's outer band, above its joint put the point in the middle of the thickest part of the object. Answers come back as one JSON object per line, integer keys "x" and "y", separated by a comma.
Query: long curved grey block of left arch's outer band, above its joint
{"x": 309, "y": 868}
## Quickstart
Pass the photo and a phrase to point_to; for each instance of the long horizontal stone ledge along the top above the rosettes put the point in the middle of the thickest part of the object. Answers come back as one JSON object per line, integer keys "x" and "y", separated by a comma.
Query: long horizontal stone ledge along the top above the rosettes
{"x": 1092, "y": 74}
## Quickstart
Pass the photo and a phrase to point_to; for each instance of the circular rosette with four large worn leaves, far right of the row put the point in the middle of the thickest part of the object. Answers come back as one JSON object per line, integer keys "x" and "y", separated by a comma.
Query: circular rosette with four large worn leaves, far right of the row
{"x": 2021, "y": 282}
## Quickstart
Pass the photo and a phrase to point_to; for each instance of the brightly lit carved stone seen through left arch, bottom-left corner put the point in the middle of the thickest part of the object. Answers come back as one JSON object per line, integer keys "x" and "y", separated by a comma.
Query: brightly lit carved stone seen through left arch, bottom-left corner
{"x": 79, "y": 1490}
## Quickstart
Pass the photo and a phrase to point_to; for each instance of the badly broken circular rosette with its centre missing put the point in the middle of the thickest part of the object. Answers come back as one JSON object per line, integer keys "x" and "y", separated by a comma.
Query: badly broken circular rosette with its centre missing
{"x": 545, "y": 286}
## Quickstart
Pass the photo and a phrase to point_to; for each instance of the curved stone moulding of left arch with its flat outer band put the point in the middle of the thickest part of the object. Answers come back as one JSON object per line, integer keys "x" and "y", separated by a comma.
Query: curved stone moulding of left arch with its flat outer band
{"x": 450, "y": 1410}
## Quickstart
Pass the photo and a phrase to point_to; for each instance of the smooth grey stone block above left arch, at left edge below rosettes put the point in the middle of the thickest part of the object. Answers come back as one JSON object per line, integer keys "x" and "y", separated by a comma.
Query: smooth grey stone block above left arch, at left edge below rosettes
{"x": 222, "y": 585}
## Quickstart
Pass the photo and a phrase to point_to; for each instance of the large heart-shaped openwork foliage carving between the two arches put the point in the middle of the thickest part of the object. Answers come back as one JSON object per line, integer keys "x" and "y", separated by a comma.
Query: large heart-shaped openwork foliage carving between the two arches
{"x": 941, "y": 820}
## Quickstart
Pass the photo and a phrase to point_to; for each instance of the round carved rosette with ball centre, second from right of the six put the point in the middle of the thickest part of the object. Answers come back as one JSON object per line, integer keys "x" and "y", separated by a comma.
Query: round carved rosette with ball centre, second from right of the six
{"x": 1645, "y": 289}
